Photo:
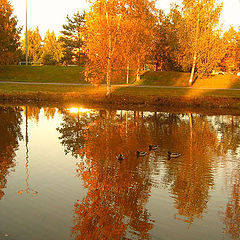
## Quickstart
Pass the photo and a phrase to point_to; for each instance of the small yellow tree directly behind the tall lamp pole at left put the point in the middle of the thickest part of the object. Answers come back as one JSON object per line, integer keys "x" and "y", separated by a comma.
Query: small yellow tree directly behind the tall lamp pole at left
{"x": 34, "y": 45}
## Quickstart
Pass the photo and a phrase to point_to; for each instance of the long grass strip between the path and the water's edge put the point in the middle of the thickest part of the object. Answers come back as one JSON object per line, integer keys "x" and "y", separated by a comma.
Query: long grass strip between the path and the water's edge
{"x": 122, "y": 95}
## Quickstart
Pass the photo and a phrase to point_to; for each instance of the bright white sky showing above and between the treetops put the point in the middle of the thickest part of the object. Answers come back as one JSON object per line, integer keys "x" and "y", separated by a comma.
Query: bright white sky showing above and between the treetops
{"x": 51, "y": 14}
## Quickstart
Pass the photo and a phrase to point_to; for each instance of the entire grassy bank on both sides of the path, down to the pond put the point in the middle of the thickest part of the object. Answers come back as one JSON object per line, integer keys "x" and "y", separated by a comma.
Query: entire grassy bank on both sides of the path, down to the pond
{"x": 144, "y": 92}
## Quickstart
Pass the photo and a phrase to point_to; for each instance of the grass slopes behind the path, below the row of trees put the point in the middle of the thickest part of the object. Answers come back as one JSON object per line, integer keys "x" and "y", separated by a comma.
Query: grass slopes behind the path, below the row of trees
{"x": 75, "y": 74}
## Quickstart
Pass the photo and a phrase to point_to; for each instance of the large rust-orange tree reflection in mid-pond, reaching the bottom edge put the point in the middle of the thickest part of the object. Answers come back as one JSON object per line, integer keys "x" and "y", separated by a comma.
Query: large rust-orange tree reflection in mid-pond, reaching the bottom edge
{"x": 117, "y": 191}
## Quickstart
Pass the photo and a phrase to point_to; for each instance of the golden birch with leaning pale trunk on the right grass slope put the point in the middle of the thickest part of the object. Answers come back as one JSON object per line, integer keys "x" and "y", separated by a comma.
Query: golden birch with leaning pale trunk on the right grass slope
{"x": 199, "y": 34}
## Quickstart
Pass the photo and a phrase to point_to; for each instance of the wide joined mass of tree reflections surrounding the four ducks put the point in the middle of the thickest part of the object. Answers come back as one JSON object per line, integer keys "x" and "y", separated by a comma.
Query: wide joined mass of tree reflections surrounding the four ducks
{"x": 117, "y": 191}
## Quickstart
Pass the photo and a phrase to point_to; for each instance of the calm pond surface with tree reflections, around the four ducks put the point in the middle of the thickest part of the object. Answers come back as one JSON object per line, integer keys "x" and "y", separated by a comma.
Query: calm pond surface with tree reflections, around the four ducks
{"x": 60, "y": 177}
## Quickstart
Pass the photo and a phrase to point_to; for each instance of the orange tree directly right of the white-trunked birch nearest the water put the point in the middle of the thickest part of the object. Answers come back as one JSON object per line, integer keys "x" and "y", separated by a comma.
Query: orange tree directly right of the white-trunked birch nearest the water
{"x": 136, "y": 40}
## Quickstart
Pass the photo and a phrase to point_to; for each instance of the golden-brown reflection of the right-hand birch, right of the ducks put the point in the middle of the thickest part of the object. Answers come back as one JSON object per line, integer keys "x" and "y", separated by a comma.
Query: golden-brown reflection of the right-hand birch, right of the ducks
{"x": 193, "y": 176}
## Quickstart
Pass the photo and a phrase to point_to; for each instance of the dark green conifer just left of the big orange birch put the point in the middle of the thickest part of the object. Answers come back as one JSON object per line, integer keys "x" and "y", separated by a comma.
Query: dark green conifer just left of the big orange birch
{"x": 72, "y": 38}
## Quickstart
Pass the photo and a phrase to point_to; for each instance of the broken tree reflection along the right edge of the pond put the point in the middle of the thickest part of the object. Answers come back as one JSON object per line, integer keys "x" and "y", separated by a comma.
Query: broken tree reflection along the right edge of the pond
{"x": 228, "y": 130}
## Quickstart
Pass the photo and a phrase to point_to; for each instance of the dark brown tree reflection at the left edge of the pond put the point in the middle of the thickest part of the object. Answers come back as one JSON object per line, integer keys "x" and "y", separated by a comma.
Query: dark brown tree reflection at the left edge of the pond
{"x": 10, "y": 134}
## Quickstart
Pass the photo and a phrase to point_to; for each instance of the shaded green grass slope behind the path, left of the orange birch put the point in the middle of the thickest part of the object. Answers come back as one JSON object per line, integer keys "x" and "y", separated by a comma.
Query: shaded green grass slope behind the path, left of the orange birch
{"x": 53, "y": 74}
